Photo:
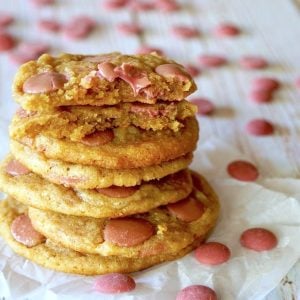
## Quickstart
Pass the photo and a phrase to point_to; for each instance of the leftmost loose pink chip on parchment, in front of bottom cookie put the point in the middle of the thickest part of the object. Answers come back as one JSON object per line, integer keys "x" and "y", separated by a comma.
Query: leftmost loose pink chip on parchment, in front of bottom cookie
{"x": 114, "y": 283}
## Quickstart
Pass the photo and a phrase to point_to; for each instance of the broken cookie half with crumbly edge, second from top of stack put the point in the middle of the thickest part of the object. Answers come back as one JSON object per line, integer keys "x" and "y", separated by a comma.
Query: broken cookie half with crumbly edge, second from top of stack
{"x": 76, "y": 122}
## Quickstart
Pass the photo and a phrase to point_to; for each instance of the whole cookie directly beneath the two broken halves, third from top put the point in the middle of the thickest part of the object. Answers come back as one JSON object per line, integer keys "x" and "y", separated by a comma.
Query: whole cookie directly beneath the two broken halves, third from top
{"x": 121, "y": 148}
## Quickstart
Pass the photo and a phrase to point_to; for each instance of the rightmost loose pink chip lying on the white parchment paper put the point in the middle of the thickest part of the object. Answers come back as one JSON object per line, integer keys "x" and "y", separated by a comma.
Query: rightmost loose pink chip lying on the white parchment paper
{"x": 258, "y": 239}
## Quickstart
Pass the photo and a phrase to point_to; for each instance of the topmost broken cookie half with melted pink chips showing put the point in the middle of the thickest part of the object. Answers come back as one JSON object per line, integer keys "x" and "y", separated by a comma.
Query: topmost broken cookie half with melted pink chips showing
{"x": 105, "y": 79}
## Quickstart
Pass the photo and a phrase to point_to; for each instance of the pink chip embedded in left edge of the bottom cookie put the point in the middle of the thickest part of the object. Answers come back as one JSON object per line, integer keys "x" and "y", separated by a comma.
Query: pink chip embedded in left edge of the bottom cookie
{"x": 24, "y": 233}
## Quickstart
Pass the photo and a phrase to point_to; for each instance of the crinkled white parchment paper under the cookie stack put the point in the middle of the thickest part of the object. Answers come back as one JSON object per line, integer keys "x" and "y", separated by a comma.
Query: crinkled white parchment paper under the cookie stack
{"x": 270, "y": 203}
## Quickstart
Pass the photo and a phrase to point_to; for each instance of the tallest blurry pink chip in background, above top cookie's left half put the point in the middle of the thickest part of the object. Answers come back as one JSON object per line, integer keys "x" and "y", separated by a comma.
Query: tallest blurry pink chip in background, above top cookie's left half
{"x": 79, "y": 27}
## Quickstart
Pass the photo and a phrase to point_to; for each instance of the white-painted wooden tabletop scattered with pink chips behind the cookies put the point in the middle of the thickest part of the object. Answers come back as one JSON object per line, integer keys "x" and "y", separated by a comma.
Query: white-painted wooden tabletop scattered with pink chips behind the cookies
{"x": 271, "y": 28}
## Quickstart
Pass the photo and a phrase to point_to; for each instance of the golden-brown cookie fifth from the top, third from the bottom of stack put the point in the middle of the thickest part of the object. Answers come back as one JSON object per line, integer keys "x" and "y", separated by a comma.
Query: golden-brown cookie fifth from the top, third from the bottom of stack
{"x": 32, "y": 190}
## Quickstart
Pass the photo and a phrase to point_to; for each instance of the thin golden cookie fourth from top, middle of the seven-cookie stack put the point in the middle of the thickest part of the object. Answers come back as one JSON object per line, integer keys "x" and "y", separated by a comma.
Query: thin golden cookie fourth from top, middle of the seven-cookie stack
{"x": 90, "y": 177}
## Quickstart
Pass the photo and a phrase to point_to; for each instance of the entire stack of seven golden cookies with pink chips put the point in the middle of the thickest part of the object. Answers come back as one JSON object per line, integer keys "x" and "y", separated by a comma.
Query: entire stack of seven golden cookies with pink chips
{"x": 97, "y": 178}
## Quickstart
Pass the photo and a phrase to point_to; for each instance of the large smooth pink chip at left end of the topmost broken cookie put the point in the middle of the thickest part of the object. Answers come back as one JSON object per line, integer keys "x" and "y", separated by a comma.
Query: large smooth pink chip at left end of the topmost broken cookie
{"x": 44, "y": 83}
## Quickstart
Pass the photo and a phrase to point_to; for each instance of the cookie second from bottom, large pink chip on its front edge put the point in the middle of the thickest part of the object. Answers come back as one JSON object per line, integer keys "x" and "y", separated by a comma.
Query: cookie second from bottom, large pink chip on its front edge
{"x": 160, "y": 230}
